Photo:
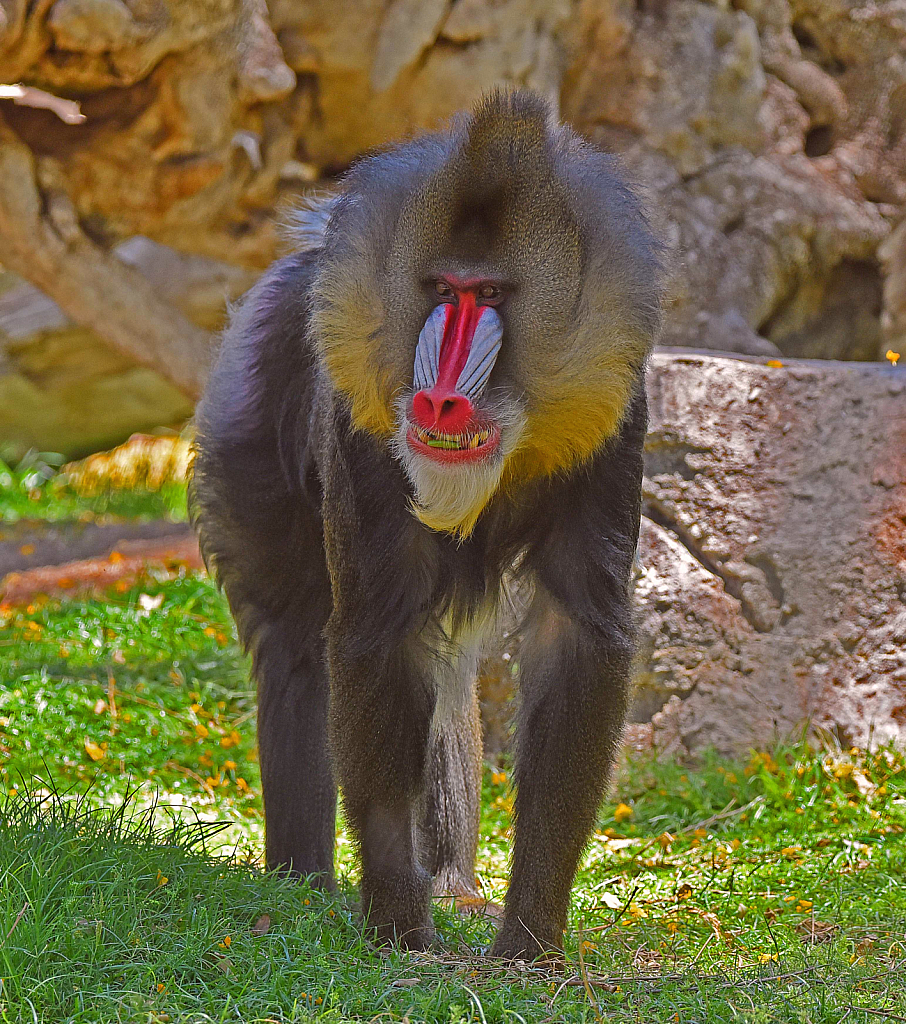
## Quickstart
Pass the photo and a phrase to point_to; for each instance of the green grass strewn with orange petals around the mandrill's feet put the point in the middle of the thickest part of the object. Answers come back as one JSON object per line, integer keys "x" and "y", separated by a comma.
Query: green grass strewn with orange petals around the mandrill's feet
{"x": 127, "y": 732}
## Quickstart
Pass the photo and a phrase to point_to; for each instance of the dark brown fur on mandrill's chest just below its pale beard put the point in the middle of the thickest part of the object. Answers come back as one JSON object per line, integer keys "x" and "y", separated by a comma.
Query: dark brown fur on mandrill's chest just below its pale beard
{"x": 390, "y": 565}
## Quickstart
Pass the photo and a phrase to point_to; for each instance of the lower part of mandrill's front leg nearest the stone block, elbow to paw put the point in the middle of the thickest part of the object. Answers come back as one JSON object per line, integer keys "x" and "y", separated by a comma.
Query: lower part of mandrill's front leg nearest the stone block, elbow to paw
{"x": 575, "y": 685}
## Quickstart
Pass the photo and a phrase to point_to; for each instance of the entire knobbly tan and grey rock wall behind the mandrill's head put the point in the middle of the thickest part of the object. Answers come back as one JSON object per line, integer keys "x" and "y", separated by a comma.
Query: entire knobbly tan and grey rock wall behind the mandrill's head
{"x": 149, "y": 150}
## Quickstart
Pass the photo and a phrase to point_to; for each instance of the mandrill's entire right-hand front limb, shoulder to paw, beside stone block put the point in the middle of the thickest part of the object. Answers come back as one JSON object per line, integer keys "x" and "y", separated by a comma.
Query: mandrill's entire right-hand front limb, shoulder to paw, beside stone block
{"x": 575, "y": 685}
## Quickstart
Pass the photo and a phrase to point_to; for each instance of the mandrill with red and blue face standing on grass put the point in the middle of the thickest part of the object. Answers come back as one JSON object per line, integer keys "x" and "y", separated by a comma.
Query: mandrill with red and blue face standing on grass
{"x": 442, "y": 389}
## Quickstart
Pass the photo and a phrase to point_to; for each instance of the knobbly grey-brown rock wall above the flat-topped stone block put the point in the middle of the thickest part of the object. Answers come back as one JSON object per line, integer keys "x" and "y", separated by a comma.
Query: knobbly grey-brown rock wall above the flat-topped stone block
{"x": 771, "y": 135}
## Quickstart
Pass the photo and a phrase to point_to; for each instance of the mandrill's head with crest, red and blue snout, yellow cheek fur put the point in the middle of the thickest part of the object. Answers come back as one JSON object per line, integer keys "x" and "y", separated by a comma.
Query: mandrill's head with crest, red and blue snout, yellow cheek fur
{"x": 508, "y": 200}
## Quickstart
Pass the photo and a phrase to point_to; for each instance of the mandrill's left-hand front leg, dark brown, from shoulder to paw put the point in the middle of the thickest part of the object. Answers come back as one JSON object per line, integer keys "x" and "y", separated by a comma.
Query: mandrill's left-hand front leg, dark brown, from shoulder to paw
{"x": 382, "y": 692}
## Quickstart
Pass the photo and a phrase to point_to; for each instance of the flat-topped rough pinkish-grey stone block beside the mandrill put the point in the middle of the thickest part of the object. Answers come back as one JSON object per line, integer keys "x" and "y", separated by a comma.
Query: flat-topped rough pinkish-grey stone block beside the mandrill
{"x": 773, "y": 580}
